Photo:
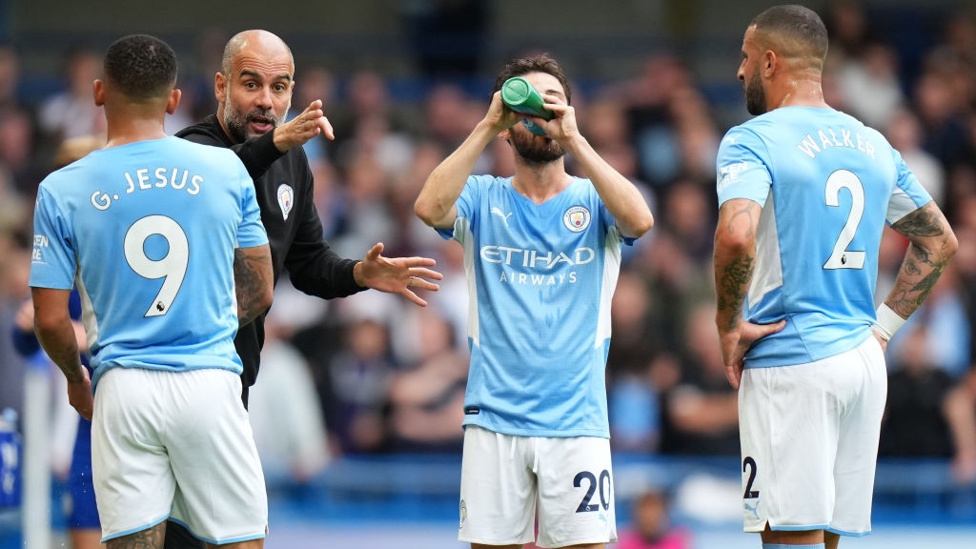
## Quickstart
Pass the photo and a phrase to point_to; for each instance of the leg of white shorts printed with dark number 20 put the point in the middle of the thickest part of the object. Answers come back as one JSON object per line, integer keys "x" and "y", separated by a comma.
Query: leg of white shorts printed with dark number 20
{"x": 576, "y": 493}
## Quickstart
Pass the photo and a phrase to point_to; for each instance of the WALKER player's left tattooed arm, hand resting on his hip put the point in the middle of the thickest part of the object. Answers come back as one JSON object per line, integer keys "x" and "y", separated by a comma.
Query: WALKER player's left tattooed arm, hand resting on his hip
{"x": 735, "y": 258}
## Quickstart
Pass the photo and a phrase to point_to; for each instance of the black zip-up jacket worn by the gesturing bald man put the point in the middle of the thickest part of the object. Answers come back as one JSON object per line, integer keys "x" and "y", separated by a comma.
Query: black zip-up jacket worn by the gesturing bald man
{"x": 284, "y": 186}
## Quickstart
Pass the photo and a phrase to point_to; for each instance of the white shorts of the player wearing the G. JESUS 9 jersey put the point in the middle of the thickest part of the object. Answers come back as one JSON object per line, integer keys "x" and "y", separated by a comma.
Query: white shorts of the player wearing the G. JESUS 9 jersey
{"x": 176, "y": 445}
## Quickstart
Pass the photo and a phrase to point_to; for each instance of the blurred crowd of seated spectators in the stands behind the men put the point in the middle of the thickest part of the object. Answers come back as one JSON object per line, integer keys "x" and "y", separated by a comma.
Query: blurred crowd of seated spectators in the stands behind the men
{"x": 375, "y": 374}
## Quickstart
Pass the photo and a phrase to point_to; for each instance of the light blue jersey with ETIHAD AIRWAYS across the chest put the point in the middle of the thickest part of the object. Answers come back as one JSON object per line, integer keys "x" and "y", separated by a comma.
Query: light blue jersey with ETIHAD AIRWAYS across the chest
{"x": 540, "y": 281}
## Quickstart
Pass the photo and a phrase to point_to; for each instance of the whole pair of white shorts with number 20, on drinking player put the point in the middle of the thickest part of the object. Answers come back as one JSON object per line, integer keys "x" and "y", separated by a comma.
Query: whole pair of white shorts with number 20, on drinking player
{"x": 503, "y": 476}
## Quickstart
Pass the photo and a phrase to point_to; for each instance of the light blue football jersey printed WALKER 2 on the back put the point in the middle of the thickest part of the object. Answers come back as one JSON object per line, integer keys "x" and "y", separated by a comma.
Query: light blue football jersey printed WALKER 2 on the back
{"x": 827, "y": 184}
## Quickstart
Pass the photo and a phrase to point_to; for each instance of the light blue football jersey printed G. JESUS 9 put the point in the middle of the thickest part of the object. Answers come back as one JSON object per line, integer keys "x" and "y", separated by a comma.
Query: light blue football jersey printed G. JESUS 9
{"x": 147, "y": 231}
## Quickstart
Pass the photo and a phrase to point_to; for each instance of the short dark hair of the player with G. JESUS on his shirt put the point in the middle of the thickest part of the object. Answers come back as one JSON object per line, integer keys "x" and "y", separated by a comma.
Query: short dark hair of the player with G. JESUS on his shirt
{"x": 141, "y": 66}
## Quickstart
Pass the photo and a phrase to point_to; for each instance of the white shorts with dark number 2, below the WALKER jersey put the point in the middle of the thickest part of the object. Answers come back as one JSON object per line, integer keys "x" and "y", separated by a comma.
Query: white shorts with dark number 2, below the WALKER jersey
{"x": 810, "y": 442}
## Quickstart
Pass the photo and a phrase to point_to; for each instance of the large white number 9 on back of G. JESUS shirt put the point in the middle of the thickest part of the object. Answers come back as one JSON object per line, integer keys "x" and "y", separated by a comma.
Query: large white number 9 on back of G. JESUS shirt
{"x": 172, "y": 267}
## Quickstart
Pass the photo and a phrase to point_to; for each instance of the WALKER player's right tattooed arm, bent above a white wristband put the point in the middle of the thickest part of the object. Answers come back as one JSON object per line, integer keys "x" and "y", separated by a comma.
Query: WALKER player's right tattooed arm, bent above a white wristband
{"x": 932, "y": 245}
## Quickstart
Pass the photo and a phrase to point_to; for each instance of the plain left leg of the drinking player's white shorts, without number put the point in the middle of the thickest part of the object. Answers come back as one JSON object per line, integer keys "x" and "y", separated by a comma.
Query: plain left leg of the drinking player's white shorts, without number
{"x": 498, "y": 489}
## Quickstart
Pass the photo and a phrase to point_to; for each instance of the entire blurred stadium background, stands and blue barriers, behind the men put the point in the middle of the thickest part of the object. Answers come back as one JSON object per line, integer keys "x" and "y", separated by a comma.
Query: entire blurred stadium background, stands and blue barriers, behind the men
{"x": 357, "y": 407}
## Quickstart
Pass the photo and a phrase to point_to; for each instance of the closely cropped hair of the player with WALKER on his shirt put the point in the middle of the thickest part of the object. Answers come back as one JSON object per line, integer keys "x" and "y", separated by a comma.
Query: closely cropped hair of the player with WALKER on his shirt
{"x": 794, "y": 32}
